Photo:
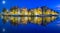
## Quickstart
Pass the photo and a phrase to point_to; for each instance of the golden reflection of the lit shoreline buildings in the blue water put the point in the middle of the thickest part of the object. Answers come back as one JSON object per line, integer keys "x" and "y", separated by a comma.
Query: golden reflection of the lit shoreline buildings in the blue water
{"x": 25, "y": 20}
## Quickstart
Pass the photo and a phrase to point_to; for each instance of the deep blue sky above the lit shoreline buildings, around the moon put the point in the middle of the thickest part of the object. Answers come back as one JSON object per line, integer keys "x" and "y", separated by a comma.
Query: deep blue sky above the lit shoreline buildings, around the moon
{"x": 29, "y": 3}
